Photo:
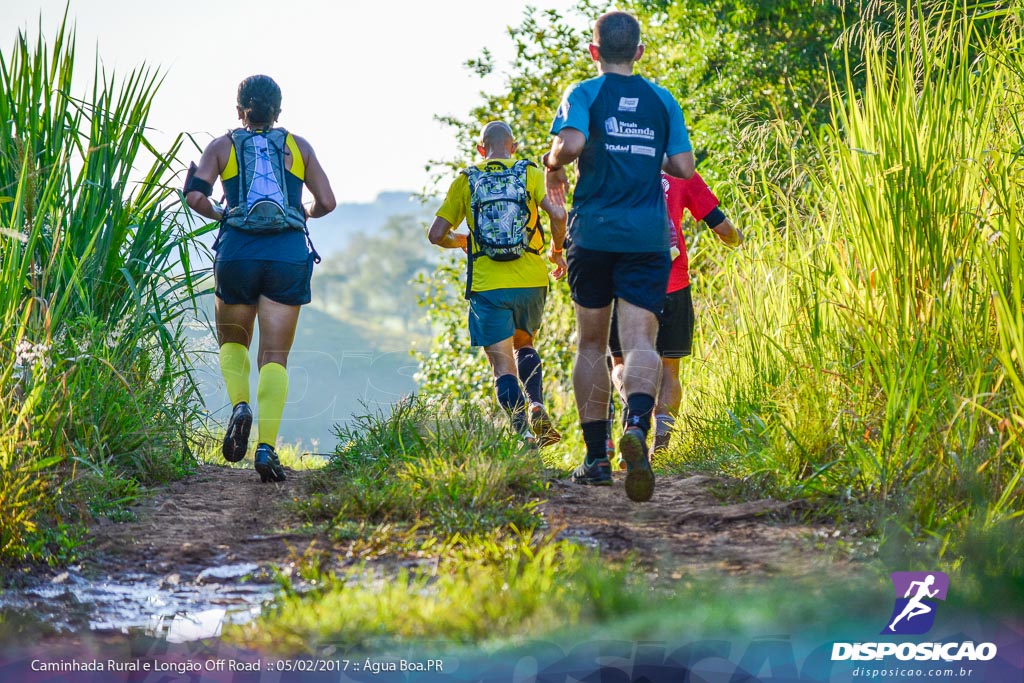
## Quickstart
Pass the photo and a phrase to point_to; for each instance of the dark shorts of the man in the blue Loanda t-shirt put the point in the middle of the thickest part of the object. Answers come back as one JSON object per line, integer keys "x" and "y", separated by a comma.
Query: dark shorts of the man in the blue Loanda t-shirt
{"x": 598, "y": 278}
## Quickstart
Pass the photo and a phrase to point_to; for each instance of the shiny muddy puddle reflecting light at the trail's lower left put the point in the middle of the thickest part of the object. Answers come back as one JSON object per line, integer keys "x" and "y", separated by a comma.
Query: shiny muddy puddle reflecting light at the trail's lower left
{"x": 176, "y": 608}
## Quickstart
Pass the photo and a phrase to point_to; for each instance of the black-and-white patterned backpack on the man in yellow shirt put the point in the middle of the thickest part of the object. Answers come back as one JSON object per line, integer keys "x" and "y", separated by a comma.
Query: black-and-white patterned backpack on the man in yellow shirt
{"x": 501, "y": 212}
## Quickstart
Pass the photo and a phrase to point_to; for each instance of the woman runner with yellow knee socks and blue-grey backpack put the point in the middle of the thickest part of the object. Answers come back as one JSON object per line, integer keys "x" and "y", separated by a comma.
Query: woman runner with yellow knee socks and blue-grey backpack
{"x": 264, "y": 260}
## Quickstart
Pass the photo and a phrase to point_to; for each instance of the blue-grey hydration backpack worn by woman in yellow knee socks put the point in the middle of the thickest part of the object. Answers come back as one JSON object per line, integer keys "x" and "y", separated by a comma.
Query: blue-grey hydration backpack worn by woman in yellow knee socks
{"x": 263, "y": 204}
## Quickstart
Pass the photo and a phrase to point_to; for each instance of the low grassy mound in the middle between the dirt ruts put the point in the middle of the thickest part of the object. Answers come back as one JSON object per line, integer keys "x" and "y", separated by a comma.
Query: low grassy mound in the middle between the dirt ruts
{"x": 430, "y": 464}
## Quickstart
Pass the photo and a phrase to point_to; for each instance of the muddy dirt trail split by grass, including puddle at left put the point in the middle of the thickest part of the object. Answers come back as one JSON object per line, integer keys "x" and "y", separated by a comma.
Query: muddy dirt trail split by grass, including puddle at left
{"x": 199, "y": 549}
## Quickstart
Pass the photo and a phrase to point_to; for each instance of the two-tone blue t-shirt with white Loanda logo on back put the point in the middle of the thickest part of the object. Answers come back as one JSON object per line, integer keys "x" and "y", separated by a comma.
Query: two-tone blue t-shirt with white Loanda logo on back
{"x": 630, "y": 124}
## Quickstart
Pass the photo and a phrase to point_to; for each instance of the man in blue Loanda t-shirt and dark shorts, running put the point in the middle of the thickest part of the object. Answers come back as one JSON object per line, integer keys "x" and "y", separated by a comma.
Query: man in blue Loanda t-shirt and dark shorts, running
{"x": 622, "y": 131}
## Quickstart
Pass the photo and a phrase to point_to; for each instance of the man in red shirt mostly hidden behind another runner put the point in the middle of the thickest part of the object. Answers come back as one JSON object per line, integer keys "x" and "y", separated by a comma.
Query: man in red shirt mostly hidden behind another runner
{"x": 675, "y": 333}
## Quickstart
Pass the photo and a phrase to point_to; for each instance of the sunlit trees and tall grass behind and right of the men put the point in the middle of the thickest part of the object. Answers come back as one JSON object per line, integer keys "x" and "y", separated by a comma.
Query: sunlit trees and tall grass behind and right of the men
{"x": 864, "y": 350}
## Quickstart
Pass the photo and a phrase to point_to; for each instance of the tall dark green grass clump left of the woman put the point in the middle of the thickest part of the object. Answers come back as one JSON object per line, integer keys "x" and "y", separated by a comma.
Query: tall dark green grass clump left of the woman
{"x": 95, "y": 391}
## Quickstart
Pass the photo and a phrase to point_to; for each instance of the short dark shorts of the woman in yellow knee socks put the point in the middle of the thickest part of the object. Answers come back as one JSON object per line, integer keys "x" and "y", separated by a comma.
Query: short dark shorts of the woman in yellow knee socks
{"x": 244, "y": 282}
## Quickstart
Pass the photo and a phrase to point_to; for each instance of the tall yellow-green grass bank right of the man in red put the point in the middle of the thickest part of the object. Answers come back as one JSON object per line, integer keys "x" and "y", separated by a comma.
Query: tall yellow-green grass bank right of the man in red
{"x": 865, "y": 346}
